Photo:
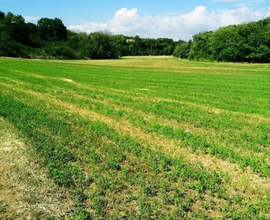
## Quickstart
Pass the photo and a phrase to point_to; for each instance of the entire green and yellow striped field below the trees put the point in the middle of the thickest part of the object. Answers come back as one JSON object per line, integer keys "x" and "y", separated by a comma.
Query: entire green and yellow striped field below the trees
{"x": 134, "y": 138}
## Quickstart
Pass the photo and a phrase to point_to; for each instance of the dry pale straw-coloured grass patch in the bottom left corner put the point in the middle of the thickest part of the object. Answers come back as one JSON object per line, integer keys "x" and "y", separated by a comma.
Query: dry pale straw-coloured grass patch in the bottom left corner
{"x": 25, "y": 191}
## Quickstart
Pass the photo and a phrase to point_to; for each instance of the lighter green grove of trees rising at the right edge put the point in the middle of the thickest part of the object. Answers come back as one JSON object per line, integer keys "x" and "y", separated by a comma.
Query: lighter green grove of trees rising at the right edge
{"x": 236, "y": 43}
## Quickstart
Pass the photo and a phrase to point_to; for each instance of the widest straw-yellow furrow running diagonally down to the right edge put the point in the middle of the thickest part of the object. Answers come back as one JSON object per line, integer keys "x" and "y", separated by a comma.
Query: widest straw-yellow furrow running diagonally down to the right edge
{"x": 240, "y": 180}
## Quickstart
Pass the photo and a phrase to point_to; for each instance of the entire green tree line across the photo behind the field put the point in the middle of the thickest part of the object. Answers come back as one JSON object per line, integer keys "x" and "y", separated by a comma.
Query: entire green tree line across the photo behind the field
{"x": 50, "y": 39}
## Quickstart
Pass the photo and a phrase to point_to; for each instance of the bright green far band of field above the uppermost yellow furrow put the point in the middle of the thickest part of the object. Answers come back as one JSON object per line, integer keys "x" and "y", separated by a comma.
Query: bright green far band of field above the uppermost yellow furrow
{"x": 232, "y": 88}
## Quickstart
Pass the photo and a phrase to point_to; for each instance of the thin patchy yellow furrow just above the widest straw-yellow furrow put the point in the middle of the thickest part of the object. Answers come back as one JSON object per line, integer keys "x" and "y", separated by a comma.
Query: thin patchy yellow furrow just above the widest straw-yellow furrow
{"x": 241, "y": 148}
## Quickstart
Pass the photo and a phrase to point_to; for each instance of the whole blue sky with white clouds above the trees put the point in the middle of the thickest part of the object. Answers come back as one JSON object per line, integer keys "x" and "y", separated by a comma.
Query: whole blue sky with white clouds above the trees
{"x": 174, "y": 19}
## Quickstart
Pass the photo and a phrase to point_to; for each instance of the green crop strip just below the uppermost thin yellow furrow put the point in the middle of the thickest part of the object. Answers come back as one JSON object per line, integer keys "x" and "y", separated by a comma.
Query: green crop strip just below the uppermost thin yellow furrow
{"x": 179, "y": 112}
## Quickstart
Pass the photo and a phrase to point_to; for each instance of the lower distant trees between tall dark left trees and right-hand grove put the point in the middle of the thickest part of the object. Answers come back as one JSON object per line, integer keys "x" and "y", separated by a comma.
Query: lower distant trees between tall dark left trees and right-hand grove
{"x": 105, "y": 45}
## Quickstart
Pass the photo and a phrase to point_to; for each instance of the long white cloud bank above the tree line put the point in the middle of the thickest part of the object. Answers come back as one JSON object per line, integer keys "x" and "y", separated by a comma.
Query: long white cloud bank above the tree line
{"x": 183, "y": 26}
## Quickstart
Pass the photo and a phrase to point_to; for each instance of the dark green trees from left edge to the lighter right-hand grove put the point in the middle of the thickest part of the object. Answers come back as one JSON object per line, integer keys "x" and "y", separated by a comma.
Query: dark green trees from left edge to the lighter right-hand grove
{"x": 51, "y": 39}
